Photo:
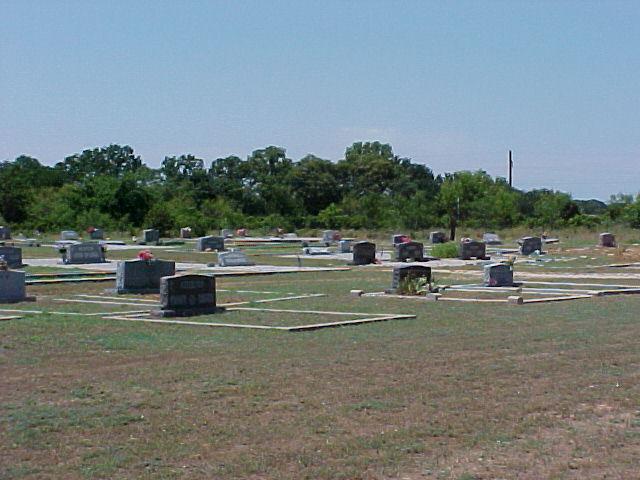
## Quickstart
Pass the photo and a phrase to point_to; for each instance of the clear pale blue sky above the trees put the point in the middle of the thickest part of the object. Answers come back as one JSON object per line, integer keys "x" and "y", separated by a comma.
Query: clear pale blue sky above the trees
{"x": 454, "y": 85}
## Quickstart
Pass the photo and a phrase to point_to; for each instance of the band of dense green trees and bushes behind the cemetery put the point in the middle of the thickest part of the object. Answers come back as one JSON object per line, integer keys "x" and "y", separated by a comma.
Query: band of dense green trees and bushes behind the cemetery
{"x": 370, "y": 188}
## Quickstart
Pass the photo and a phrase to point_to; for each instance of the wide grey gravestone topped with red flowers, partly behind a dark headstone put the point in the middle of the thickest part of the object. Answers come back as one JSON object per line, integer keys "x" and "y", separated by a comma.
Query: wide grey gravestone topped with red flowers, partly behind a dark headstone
{"x": 142, "y": 276}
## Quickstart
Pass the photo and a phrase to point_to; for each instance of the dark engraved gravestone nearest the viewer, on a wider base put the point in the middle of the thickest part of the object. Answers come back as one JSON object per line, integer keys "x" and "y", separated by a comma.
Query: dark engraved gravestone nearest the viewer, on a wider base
{"x": 187, "y": 295}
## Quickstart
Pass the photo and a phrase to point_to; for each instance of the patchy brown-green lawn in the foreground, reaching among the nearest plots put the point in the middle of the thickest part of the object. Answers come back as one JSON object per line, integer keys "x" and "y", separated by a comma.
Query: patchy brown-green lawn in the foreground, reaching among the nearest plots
{"x": 464, "y": 391}
